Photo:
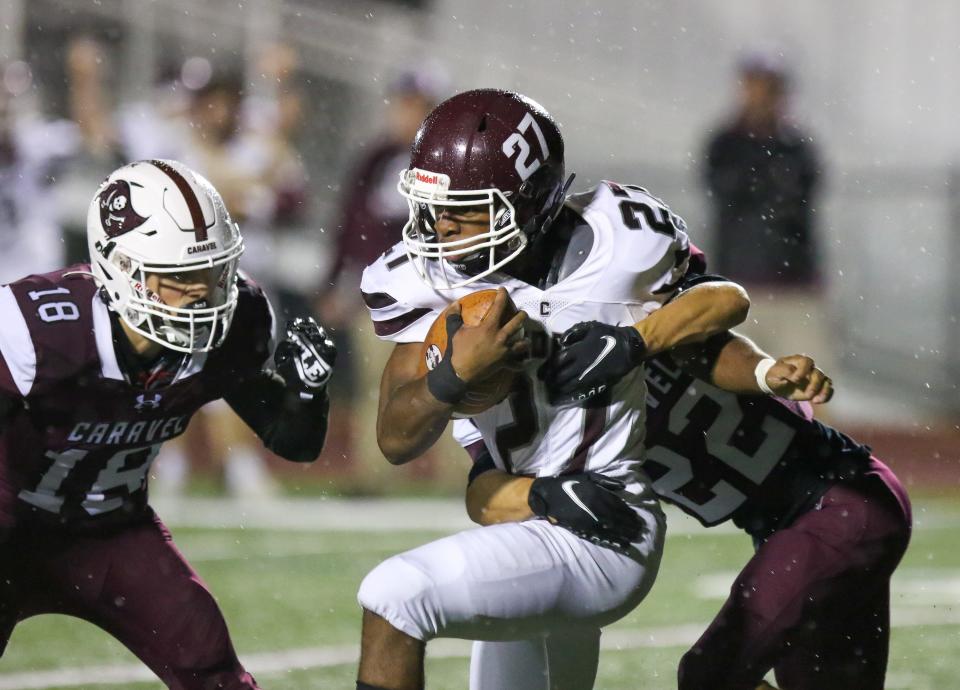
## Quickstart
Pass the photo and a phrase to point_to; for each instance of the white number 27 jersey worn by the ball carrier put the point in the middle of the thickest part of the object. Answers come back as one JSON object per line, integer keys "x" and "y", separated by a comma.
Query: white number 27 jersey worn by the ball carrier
{"x": 638, "y": 255}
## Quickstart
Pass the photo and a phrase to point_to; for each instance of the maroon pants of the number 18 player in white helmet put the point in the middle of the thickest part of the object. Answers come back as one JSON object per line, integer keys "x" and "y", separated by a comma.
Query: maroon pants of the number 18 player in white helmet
{"x": 134, "y": 584}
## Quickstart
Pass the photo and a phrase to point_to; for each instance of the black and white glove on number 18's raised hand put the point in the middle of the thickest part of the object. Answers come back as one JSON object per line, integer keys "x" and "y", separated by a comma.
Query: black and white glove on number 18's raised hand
{"x": 305, "y": 357}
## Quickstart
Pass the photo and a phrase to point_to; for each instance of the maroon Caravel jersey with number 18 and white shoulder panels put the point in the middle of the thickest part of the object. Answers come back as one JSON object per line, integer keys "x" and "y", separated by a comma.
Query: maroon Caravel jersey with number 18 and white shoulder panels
{"x": 79, "y": 441}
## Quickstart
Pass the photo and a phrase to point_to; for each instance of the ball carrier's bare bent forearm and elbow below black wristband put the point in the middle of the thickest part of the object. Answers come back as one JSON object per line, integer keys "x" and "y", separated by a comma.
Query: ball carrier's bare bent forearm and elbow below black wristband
{"x": 410, "y": 422}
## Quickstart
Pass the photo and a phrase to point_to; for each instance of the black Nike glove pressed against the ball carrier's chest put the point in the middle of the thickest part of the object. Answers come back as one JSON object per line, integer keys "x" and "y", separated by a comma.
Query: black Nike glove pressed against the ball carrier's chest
{"x": 589, "y": 358}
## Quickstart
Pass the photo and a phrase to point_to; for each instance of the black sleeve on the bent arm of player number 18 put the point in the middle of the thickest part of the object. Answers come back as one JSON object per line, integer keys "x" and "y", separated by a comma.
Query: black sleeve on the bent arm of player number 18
{"x": 289, "y": 426}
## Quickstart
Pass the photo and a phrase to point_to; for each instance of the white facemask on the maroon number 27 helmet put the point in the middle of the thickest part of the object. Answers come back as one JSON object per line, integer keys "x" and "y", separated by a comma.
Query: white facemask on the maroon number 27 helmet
{"x": 478, "y": 256}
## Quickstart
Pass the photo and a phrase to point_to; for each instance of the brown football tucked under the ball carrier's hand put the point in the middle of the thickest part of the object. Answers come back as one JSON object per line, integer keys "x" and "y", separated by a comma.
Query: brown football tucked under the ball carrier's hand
{"x": 484, "y": 394}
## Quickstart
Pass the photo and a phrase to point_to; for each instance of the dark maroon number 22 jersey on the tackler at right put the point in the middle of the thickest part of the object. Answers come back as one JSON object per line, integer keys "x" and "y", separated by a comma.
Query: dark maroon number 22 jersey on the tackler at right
{"x": 756, "y": 459}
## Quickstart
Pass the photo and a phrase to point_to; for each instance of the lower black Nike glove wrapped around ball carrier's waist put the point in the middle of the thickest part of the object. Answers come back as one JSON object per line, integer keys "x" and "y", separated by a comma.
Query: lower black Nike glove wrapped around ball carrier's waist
{"x": 587, "y": 505}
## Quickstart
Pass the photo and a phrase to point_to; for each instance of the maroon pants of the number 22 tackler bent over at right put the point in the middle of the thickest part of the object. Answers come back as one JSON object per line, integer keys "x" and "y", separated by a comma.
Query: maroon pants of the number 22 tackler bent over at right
{"x": 814, "y": 601}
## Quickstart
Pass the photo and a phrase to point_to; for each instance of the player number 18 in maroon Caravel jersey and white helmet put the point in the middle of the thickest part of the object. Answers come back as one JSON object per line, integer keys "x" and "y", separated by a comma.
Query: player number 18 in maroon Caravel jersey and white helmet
{"x": 99, "y": 365}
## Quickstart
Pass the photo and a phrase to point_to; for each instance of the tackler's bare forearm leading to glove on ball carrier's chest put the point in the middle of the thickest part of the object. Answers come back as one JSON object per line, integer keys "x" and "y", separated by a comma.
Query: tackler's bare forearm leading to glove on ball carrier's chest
{"x": 701, "y": 312}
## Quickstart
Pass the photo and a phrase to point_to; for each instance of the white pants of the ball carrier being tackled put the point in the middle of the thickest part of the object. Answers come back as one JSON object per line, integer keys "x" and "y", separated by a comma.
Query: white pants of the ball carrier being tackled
{"x": 522, "y": 581}
